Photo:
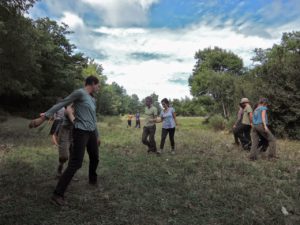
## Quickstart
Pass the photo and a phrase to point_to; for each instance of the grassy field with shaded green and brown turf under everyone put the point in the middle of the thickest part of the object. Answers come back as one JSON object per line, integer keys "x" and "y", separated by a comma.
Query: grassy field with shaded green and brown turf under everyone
{"x": 208, "y": 181}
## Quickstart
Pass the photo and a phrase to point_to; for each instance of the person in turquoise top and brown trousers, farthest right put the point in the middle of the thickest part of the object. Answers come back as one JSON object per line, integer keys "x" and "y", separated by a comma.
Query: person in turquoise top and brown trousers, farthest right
{"x": 260, "y": 129}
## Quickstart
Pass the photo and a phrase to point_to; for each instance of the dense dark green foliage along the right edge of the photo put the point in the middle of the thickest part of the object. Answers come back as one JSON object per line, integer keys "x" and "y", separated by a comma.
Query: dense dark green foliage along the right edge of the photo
{"x": 280, "y": 73}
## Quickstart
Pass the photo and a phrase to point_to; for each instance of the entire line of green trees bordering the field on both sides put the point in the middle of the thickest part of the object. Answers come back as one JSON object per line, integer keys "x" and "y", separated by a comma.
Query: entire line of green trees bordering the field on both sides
{"x": 38, "y": 64}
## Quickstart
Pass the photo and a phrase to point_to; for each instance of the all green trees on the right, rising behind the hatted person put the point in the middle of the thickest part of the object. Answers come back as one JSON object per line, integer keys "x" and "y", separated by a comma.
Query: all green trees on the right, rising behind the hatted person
{"x": 275, "y": 76}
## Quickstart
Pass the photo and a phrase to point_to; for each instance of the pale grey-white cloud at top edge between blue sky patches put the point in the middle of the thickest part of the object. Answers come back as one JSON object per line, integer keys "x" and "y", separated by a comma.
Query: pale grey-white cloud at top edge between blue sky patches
{"x": 122, "y": 13}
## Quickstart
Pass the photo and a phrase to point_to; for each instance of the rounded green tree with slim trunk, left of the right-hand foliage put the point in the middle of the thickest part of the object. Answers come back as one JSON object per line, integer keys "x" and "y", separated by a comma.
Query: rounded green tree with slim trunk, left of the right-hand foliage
{"x": 214, "y": 75}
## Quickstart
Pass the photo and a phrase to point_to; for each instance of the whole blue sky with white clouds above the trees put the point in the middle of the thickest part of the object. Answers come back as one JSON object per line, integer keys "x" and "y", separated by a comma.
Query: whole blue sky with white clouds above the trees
{"x": 148, "y": 46}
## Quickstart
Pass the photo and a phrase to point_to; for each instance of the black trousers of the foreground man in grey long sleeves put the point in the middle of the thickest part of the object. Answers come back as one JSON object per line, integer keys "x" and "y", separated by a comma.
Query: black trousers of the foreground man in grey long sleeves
{"x": 81, "y": 139}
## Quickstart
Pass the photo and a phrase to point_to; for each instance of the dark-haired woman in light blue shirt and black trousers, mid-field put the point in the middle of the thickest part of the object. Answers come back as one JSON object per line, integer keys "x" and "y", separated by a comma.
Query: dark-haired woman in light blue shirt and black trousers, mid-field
{"x": 168, "y": 119}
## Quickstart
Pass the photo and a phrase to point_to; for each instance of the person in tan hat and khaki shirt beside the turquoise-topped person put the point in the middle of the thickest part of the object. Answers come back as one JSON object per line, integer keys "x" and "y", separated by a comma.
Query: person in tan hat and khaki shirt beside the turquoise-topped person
{"x": 245, "y": 127}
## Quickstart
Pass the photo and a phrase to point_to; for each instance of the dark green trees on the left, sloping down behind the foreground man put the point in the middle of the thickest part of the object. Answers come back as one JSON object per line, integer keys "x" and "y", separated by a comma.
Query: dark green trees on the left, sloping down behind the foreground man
{"x": 38, "y": 65}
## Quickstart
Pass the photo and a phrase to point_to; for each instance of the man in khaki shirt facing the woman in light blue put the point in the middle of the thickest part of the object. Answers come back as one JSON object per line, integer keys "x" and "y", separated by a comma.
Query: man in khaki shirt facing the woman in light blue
{"x": 148, "y": 136}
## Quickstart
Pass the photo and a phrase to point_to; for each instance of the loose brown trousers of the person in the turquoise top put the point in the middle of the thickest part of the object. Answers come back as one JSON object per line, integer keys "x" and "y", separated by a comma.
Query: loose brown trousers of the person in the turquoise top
{"x": 257, "y": 131}
